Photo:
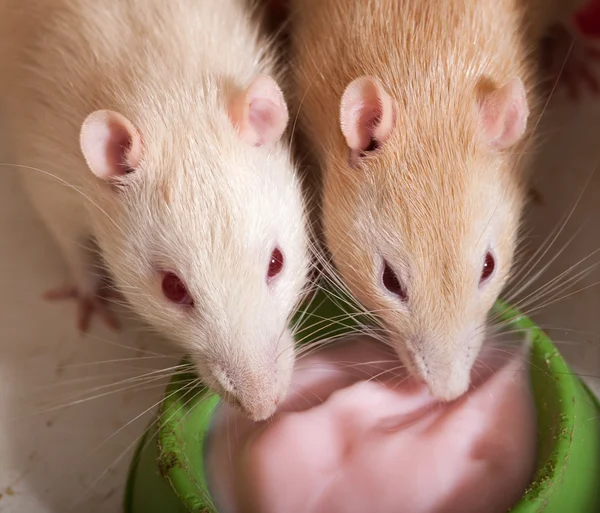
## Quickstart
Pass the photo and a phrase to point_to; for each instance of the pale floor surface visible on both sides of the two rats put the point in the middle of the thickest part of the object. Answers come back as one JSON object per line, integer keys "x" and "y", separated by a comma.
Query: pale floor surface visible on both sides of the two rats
{"x": 63, "y": 460}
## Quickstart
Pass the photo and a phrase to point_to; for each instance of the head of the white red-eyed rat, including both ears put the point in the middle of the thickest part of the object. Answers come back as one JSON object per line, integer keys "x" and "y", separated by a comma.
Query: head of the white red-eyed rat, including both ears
{"x": 204, "y": 232}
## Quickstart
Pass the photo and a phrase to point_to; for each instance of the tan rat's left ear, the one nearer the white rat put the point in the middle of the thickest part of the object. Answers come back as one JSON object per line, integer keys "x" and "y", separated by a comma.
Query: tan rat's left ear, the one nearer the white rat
{"x": 367, "y": 113}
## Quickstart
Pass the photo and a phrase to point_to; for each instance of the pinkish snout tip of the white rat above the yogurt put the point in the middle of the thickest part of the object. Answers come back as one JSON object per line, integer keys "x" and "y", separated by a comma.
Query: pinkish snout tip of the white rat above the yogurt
{"x": 256, "y": 393}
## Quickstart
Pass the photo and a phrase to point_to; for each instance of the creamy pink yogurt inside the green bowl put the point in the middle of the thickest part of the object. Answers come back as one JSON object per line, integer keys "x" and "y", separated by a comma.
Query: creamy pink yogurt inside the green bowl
{"x": 362, "y": 438}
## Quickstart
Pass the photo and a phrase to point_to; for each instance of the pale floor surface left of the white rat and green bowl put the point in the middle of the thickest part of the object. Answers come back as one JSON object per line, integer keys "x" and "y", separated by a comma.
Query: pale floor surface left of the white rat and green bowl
{"x": 62, "y": 460}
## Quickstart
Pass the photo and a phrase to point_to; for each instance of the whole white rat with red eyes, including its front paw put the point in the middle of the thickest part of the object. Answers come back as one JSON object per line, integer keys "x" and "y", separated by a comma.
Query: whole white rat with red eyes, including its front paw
{"x": 158, "y": 129}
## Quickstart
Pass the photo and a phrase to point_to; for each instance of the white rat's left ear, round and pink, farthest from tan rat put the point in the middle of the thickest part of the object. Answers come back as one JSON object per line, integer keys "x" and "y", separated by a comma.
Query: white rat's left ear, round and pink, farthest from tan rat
{"x": 110, "y": 144}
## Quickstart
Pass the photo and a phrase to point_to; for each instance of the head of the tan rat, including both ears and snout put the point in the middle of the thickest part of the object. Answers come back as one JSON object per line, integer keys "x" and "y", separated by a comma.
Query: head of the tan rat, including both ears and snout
{"x": 421, "y": 218}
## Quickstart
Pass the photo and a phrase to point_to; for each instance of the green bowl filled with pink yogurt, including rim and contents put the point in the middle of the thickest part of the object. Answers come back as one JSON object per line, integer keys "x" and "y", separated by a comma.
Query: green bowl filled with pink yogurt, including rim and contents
{"x": 527, "y": 435}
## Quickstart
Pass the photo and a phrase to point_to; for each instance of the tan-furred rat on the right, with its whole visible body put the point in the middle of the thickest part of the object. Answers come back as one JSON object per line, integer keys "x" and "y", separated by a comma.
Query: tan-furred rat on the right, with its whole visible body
{"x": 420, "y": 113}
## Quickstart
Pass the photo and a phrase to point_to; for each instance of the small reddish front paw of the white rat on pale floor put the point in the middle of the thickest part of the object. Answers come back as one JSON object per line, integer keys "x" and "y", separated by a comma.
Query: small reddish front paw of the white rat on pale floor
{"x": 87, "y": 305}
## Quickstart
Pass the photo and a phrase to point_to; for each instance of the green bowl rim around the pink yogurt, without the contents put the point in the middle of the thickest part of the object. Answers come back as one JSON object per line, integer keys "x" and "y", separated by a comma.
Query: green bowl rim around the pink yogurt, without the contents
{"x": 167, "y": 471}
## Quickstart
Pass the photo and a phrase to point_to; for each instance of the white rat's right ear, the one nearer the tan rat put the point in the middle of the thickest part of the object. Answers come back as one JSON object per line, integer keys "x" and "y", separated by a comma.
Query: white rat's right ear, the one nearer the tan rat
{"x": 260, "y": 113}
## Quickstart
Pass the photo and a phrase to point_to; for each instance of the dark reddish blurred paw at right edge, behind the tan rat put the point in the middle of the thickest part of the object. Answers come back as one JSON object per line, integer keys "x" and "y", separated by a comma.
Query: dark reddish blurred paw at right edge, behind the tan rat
{"x": 569, "y": 62}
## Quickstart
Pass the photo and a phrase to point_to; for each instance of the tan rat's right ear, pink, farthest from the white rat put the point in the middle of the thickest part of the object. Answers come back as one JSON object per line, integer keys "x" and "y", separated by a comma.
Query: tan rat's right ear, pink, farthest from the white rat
{"x": 503, "y": 115}
